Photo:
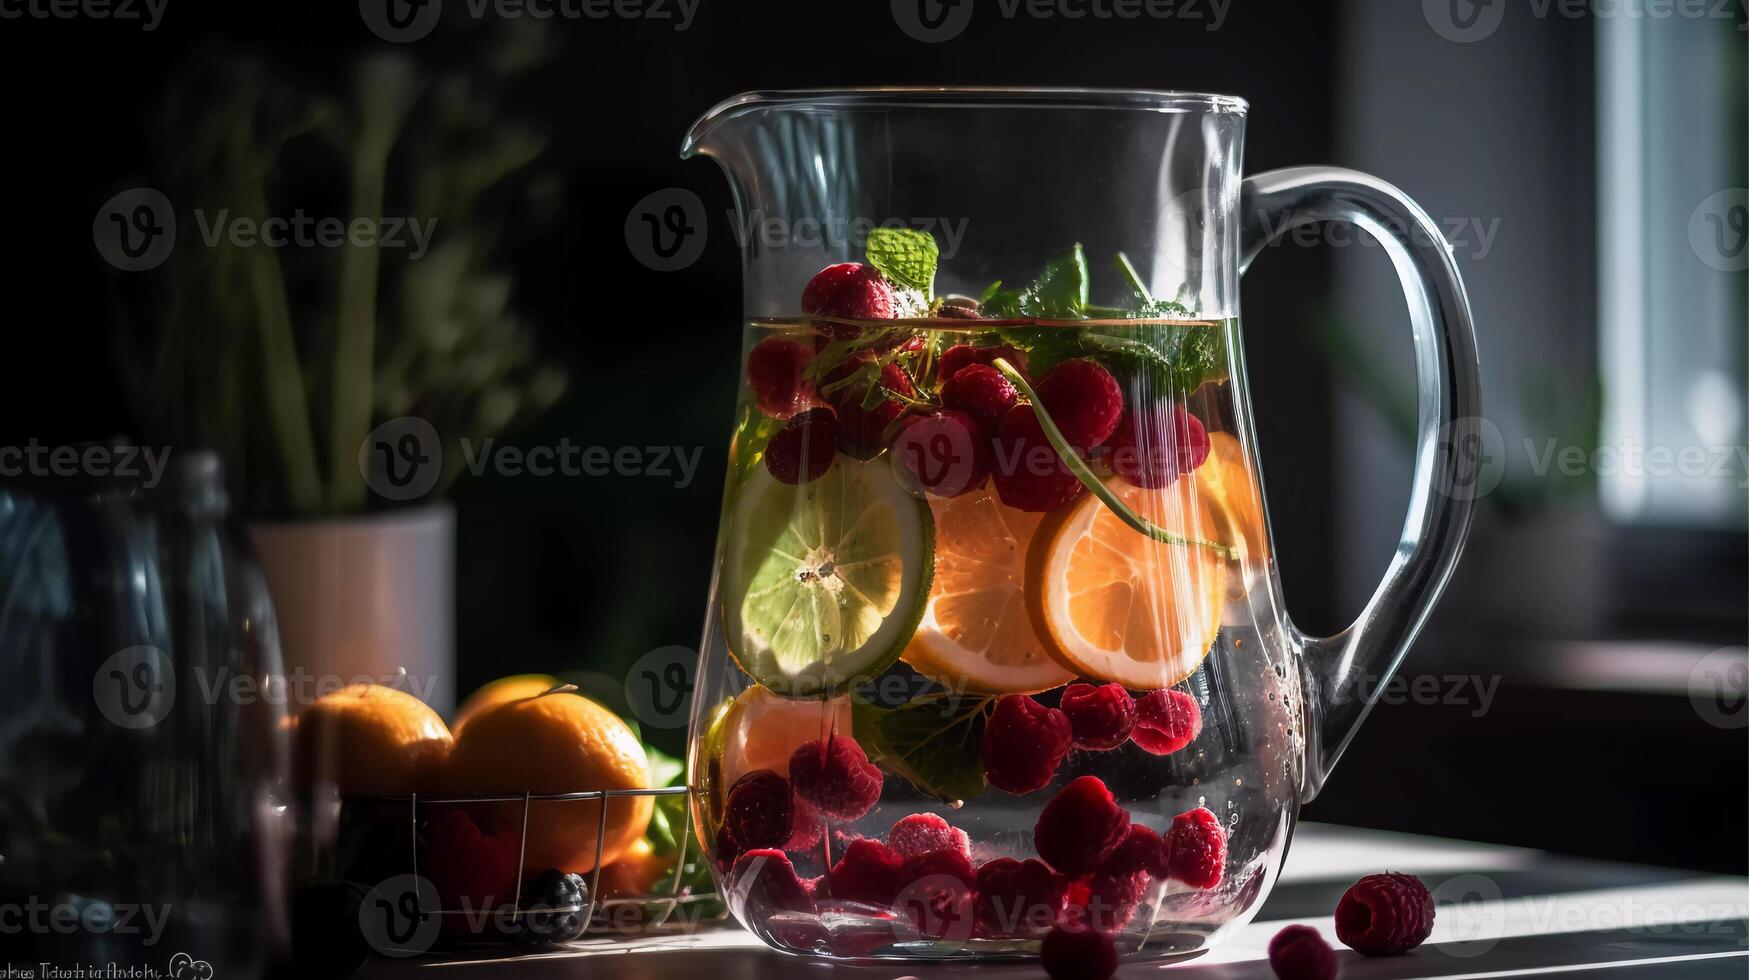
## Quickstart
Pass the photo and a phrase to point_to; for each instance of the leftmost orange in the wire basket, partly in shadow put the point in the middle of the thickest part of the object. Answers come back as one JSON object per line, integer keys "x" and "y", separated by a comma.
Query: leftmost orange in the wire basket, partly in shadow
{"x": 372, "y": 741}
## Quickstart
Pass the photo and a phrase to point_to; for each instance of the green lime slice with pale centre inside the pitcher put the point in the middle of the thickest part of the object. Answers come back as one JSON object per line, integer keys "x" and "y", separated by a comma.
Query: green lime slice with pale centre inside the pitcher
{"x": 825, "y": 584}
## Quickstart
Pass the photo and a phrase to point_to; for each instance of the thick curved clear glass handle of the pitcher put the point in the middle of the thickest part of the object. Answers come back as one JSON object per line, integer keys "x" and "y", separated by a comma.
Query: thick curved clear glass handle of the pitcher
{"x": 1346, "y": 673}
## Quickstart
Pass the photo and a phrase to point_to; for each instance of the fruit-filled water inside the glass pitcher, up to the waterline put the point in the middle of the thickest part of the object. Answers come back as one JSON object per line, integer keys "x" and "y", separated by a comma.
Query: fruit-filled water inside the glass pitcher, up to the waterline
{"x": 980, "y": 629}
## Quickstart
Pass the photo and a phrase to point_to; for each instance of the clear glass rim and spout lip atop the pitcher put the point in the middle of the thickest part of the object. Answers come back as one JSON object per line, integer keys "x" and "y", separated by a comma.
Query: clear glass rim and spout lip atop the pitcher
{"x": 956, "y": 97}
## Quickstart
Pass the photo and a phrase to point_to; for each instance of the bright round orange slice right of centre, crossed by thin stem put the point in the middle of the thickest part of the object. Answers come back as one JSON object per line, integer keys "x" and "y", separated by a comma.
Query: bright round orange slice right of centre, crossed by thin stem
{"x": 1115, "y": 605}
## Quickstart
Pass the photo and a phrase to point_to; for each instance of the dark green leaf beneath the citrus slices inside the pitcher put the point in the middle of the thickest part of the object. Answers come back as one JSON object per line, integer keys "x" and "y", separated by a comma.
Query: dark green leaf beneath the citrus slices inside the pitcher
{"x": 935, "y": 745}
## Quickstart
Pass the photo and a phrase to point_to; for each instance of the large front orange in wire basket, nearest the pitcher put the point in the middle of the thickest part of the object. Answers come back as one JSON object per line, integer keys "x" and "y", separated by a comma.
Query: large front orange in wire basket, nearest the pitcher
{"x": 557, "y": 743}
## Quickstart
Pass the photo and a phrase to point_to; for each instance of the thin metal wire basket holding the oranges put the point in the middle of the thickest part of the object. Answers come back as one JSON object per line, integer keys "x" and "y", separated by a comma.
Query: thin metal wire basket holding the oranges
{"x": 657, "y": 911}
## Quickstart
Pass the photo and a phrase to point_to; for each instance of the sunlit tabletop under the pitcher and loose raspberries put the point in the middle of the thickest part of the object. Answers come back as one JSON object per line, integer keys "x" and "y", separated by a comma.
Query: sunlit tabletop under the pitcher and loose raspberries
{"x": 1524, "y": 914}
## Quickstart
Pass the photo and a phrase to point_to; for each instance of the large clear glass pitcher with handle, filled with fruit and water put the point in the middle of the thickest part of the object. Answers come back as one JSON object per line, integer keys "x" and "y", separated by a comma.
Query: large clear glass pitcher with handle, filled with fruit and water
{"x": 996, "y": 638}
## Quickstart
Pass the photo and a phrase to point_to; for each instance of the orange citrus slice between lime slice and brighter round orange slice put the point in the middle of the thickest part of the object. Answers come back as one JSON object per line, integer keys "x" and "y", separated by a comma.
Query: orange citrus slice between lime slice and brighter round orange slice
{"x": 977, "y": 634}
